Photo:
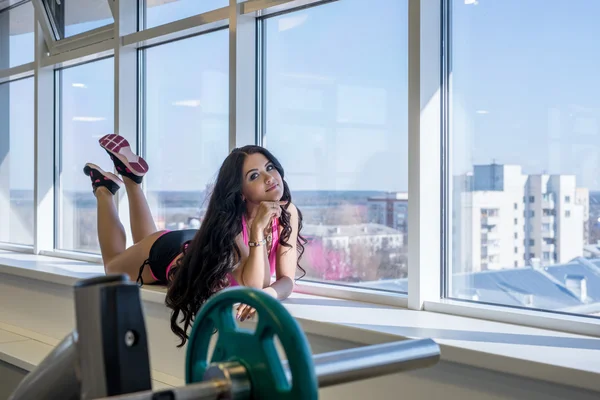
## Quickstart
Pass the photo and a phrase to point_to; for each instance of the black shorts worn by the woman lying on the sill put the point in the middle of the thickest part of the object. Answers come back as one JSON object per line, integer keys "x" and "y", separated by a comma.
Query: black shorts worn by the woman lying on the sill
{"x": 166, "y": 248}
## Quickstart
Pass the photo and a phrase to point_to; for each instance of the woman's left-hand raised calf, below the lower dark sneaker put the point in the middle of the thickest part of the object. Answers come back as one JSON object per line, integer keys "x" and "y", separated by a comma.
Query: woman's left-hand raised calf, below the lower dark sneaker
{"x": 111, "y": 233}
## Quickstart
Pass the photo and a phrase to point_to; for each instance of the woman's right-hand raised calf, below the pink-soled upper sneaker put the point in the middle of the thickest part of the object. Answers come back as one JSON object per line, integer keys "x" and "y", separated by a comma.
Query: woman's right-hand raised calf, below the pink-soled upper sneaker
{"x": 142, "y": 223}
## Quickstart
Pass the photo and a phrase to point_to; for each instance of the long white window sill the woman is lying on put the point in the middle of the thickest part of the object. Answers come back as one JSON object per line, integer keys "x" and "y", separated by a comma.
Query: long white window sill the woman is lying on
{"x": 548, "y": 355}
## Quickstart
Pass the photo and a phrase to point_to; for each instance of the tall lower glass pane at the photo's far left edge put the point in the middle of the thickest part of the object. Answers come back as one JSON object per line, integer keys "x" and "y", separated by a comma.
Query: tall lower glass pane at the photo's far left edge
{"x": 16, "y": 162}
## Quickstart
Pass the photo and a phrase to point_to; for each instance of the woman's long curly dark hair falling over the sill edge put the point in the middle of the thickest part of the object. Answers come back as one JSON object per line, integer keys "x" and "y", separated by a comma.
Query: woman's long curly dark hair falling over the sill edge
{"x": 213, "y": 252}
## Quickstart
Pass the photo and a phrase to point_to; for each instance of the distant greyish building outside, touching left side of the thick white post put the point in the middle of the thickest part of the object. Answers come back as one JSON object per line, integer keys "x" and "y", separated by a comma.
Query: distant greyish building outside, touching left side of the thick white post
{"x": 390, "y": 210}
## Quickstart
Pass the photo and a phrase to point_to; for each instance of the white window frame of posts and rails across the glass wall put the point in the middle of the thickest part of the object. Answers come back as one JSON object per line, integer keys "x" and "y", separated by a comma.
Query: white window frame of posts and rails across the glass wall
{"x": 429, "y": 112}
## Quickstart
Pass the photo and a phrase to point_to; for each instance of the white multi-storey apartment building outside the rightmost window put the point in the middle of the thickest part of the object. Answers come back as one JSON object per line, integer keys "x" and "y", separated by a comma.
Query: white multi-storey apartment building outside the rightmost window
{"x": 505, "y": 219}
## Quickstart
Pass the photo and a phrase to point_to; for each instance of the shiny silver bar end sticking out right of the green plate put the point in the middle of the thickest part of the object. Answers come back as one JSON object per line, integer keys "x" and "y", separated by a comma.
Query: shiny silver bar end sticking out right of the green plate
{"x": 372, "y": 361}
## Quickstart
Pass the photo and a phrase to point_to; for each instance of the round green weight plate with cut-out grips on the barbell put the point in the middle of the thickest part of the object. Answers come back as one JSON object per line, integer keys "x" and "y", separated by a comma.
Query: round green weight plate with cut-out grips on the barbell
{"x": 255, "y": 350}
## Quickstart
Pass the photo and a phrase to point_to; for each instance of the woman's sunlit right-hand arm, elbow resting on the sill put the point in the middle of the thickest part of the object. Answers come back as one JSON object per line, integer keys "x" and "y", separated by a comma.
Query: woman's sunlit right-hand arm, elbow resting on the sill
{"x": 287, "y": 261}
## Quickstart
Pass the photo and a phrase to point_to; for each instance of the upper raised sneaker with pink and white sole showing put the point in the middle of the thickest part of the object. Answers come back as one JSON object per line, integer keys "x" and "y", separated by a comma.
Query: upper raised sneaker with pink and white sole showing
{"x": 126, "y": 162}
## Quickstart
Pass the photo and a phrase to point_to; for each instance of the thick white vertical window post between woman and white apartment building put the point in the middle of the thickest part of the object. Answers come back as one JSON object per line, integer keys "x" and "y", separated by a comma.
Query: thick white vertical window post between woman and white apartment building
{"x": 424, "y": 140}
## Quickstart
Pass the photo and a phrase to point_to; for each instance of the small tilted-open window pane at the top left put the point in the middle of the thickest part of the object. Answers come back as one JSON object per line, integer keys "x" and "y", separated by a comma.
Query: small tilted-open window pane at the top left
{"x": 71, "y": 17}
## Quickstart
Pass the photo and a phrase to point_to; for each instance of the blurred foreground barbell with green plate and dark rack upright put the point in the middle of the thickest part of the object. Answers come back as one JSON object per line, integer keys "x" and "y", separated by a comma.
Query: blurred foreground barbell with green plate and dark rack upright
{"x": 106, "y": 357}
